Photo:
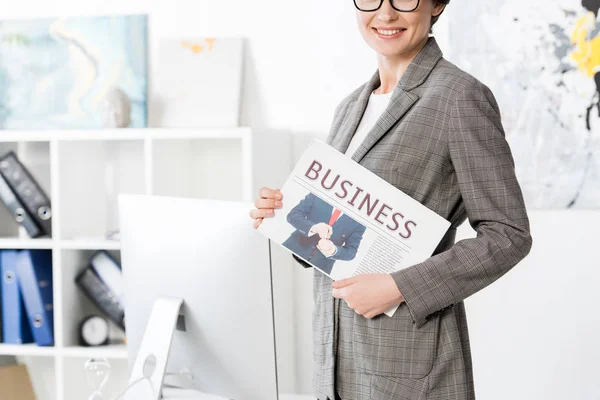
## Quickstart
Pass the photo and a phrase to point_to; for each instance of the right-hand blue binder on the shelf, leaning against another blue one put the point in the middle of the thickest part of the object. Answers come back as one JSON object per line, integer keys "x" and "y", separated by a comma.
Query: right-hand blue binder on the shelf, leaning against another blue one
{"x": 34, "y": 271}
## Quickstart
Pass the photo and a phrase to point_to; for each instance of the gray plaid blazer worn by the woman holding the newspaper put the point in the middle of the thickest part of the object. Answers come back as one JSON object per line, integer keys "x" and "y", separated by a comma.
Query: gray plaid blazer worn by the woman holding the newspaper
{"x": 441, "y": 141}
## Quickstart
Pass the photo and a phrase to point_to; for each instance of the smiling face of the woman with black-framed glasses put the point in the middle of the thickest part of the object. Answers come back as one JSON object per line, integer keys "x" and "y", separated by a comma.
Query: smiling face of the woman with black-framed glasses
{"x": 393, "y": 33}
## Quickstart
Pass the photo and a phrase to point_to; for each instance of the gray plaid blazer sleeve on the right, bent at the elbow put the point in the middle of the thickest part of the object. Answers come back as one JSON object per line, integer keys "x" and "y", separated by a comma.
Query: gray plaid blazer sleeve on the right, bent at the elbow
{"x": 494, "y": 205}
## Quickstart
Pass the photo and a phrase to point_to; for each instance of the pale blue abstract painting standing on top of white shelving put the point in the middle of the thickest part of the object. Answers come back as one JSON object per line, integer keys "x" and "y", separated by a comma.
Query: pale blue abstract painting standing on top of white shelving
{"x": 72, "y": 72}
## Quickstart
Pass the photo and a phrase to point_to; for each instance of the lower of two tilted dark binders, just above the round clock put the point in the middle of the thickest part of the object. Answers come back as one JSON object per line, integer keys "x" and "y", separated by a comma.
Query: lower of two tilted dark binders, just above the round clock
{"x": 100, "y": 294}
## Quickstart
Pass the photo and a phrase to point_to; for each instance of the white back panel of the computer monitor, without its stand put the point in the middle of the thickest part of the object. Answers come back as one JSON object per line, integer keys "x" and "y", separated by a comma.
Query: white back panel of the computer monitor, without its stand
{"x": 206, "y": 252}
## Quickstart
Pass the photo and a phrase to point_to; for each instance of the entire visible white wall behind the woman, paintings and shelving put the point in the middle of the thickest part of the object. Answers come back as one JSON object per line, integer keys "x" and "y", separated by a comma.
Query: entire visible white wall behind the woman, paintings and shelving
{"x": 302, "y": 58}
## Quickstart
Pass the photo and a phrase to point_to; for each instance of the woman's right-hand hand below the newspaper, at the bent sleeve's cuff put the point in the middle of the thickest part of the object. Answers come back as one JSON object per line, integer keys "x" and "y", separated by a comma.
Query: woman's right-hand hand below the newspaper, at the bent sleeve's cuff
{"x": 368, "y": 294}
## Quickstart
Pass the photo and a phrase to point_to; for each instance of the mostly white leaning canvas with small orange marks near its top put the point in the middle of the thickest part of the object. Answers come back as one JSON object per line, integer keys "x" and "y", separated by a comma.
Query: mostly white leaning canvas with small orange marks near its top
{"x": 198, "y": 82}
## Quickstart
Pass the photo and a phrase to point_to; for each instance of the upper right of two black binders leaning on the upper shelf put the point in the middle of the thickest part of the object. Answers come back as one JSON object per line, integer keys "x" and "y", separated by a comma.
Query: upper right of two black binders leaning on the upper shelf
{"x": 27, "y": 189}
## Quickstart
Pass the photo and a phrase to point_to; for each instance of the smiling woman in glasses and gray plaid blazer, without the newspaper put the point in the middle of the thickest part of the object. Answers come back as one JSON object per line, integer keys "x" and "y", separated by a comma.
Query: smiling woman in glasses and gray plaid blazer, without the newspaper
{"x": 434, "y": 132}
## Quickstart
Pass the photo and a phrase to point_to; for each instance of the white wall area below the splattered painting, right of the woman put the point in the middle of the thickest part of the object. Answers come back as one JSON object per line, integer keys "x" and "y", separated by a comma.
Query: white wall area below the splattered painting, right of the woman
{"x": 534, "y": 332}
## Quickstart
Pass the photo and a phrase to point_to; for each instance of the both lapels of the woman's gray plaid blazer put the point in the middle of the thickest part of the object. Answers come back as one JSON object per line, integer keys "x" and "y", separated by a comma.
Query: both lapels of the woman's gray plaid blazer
{"x": 401, "y": 101}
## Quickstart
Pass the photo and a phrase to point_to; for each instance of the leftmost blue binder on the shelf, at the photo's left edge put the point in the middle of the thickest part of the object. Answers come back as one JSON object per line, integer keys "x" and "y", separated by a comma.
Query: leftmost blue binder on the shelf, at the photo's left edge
{"x": 15, "y": 325}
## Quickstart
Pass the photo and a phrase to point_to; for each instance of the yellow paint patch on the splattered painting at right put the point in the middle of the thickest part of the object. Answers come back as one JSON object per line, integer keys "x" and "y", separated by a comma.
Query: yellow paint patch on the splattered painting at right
{"x": 587, "y": 52}
